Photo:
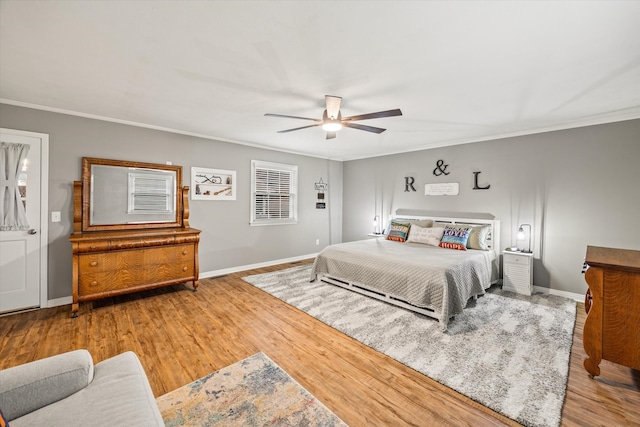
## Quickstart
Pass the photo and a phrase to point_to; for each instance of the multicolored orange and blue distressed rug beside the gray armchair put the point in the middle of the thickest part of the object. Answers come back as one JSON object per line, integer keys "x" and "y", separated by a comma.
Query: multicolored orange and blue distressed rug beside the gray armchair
{"x": 252, "y": 392}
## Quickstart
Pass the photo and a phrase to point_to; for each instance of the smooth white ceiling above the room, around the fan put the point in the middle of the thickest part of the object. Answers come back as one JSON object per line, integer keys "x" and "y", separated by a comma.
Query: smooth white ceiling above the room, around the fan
{"x": 460, "y": 71}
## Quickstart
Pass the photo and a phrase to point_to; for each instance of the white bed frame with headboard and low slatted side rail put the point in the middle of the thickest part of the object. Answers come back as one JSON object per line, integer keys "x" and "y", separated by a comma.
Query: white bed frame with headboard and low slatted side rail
{"x": 493, "y": 241}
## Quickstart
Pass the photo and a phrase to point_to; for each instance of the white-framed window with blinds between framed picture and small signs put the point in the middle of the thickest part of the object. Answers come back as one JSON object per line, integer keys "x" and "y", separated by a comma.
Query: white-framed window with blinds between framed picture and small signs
{"x": 273, "y": 193}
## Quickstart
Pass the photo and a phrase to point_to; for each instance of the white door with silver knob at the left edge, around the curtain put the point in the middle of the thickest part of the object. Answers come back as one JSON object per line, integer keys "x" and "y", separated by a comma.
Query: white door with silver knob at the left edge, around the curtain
{"x": 23, "y": 254}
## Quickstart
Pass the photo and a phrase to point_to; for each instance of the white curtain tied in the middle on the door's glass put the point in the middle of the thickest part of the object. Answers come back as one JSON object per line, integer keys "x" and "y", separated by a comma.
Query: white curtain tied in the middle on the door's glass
{"x": 12, "y": 213}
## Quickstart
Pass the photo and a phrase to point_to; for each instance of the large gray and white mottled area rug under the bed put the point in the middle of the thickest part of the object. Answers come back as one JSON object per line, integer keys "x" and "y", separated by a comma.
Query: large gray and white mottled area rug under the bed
{"x": 506, "y": 351}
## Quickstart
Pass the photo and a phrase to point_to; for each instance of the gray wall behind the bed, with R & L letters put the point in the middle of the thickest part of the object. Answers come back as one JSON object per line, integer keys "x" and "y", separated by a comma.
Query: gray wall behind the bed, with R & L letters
{"x": 577, "y": 187}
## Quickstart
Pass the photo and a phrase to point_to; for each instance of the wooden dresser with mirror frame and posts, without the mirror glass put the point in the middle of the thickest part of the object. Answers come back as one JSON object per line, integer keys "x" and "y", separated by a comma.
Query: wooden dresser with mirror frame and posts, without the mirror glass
{"x": 110, "y": 260}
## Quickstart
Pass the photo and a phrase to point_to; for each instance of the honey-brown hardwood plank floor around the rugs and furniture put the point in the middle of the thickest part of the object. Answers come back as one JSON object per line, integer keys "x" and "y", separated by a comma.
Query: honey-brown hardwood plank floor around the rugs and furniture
{"x": 180, "y": 336}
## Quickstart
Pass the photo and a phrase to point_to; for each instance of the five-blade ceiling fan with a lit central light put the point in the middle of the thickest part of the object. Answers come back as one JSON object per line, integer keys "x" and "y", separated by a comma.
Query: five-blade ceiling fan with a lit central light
{"x": 332, "y": 120}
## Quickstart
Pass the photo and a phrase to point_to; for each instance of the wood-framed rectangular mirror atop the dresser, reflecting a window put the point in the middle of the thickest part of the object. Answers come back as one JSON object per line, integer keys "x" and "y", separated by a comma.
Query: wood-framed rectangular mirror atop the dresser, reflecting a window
{"x": 123, "y": 195}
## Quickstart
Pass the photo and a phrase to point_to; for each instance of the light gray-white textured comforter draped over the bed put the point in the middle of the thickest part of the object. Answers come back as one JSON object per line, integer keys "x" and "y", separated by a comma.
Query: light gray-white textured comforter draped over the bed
{"x": 430, "y": 277}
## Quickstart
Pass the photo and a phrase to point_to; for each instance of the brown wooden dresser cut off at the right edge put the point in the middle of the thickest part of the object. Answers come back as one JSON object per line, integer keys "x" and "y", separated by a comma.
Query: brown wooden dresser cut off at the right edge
{"x": 612, "y": 327}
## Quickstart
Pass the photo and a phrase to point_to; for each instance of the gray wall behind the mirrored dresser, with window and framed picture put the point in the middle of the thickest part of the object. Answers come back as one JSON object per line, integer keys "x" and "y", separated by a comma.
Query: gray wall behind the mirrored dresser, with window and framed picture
{"x": 227, "y": 240}
